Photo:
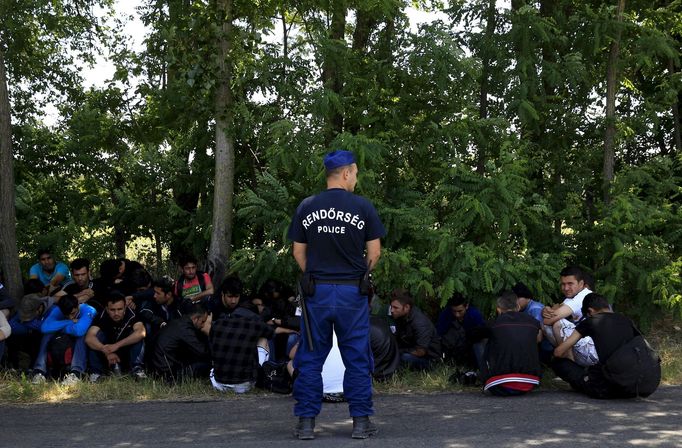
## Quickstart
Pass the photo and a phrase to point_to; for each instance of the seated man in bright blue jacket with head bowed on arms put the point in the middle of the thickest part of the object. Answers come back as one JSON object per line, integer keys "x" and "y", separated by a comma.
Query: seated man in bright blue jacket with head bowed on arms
{"x": 69, "y": 322}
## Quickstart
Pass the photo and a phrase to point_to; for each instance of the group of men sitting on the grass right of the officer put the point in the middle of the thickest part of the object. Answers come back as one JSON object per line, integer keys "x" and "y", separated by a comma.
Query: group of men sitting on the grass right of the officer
{"x": 578, "y": 338}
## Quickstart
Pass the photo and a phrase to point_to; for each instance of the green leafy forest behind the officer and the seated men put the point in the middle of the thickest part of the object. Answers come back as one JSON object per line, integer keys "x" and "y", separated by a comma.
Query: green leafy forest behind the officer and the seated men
{"x": 499, "y": 142}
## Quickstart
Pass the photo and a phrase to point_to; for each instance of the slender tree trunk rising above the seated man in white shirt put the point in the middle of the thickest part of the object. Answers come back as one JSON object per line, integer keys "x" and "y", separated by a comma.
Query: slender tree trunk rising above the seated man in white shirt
{"x": 611, "y": 87}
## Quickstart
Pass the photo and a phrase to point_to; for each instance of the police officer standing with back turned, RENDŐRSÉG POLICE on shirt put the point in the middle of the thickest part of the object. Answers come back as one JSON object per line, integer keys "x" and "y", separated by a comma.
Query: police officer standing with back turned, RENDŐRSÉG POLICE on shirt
{"x": 336, "y": 239}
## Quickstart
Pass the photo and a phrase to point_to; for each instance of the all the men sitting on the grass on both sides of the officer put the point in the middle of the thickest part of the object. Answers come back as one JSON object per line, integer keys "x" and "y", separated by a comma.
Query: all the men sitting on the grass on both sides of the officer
{"x": 123, "y": 321}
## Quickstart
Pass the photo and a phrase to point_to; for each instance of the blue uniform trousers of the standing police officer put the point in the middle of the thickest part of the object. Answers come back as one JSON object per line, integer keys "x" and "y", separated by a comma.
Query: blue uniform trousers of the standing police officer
{"x": 342, "y": 309}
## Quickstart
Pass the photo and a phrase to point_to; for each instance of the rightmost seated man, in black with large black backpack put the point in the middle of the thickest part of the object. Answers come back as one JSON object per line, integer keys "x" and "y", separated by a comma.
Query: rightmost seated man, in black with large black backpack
{"x": 613, "y": 376}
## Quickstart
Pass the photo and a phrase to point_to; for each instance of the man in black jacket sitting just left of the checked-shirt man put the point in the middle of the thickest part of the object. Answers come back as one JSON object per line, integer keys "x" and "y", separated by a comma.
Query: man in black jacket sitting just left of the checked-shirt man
{"x": 182, "y": 347}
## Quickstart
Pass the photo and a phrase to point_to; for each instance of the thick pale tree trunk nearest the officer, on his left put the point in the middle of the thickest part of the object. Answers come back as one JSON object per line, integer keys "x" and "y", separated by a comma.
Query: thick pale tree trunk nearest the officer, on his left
{"x": 221, "y": 234}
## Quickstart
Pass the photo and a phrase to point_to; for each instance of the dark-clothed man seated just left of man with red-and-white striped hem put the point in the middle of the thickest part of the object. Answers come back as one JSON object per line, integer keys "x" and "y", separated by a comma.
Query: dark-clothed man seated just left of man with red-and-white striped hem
{"x": 458, "y": 326}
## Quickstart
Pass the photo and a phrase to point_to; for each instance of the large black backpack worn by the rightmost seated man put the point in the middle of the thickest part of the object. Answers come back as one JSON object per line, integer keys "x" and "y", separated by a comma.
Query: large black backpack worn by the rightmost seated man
{"x": 635, "y": 367}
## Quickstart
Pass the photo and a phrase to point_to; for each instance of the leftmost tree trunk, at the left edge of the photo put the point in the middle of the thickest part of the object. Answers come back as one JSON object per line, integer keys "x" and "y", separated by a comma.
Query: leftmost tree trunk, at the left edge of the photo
{"x": 9, "y": 256}
